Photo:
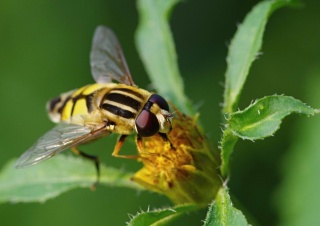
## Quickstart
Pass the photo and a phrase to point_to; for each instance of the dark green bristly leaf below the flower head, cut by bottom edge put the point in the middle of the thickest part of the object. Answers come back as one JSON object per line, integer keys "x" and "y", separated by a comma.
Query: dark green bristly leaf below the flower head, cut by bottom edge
{"x": 160, "y": 216}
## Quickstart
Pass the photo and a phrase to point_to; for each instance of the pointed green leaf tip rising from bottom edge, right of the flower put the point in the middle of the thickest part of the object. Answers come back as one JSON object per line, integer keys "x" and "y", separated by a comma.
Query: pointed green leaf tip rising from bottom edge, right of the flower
{"x": 222, "y": 213}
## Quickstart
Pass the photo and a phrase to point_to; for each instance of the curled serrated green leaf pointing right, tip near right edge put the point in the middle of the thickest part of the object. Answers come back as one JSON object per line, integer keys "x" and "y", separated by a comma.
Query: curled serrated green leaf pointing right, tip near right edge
{"x": 263, "y": 118}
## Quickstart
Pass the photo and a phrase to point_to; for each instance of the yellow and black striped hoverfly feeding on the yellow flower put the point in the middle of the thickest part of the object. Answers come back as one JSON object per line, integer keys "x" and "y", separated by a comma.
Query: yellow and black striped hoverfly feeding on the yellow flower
{"x": 96, "y": 110}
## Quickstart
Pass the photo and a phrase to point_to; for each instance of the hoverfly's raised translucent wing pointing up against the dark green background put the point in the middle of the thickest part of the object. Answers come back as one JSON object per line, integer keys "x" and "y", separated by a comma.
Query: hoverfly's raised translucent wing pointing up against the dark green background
{"x": 107, "y": 59}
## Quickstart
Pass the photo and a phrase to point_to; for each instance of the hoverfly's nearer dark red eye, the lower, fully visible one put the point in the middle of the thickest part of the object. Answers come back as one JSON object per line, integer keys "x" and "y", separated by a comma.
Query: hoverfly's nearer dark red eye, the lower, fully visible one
{"x": 147, "y": 124}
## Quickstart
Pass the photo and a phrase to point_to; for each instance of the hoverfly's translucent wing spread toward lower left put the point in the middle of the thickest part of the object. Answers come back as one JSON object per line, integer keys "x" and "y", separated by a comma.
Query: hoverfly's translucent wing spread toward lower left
{"x": 60, "y": 138}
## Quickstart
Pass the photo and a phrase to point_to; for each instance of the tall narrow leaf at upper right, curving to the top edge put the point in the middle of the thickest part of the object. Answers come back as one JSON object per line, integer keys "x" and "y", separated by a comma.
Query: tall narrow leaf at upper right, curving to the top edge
{"x": 244, "y": 49}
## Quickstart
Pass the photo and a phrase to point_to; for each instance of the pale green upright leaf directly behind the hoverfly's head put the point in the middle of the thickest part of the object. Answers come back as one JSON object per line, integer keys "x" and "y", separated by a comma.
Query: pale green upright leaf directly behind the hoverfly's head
{"x": 157, "y": 51}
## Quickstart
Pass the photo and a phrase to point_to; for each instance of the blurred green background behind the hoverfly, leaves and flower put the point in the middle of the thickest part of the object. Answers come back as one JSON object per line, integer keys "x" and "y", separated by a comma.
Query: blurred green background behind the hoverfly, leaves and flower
{"x": 44, "y": 51}
